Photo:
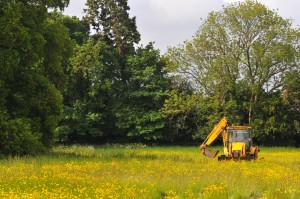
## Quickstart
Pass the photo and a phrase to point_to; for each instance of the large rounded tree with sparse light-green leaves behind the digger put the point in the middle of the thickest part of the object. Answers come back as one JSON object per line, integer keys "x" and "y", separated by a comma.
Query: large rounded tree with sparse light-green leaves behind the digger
{"x": 244, "y": 44}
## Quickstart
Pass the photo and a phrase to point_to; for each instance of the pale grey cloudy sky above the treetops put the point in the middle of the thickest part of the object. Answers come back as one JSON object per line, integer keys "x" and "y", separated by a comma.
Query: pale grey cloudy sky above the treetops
{"x": 169, "y": 23}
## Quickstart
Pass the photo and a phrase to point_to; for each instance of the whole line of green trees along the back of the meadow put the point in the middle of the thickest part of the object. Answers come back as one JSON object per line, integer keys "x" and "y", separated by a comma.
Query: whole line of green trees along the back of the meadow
{"x": 62, "y": 82}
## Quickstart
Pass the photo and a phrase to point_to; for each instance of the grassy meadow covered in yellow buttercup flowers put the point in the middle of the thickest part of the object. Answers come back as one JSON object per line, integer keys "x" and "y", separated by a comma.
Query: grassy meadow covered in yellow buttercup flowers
{"x": 137, "y": 171}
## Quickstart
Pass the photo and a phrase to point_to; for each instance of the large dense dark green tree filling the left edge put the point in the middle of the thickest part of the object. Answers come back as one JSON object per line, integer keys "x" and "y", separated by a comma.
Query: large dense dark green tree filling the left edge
{"x": 33, "y": 53}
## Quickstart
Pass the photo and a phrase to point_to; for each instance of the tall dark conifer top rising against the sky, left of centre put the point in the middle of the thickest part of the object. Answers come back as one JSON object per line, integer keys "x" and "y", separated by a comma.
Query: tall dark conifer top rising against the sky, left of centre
{"x": 114, "y": 26}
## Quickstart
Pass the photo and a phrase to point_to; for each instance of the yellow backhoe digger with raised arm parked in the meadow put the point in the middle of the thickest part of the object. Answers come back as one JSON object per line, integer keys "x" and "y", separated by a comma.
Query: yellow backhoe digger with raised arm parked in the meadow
{"x": 237, "y": 140}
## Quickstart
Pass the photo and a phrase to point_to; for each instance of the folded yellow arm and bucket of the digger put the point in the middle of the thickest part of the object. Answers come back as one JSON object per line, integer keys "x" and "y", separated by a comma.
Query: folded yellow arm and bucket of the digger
{"x": 212, "y": 136}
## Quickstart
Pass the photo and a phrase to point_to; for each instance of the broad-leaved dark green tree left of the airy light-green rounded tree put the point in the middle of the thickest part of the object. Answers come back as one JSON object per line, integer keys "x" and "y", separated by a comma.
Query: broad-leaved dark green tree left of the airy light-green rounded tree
{"x": 139, "y": 114}
